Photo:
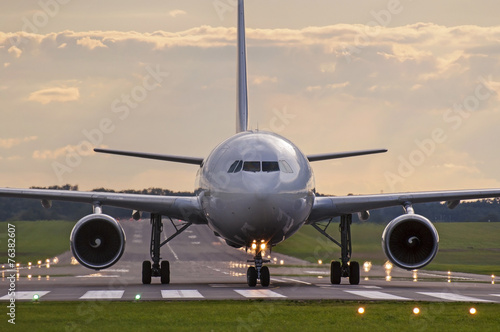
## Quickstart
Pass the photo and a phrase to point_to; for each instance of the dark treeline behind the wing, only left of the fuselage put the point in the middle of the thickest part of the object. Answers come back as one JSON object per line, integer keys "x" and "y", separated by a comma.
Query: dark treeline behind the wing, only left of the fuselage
{"x": 12, "y": 209}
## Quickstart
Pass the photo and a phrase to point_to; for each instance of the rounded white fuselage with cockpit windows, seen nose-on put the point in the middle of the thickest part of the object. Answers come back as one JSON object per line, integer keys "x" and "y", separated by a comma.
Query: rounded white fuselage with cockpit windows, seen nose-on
{"x": 256, "y": 186}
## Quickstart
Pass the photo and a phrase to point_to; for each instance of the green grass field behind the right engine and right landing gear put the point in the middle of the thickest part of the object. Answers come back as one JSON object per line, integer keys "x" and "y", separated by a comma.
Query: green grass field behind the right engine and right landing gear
{"x": 463, "y": 247}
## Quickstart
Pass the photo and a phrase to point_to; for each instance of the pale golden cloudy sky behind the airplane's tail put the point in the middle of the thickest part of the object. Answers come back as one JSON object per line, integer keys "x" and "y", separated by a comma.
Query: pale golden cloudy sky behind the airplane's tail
{"x": 419, "y": 78}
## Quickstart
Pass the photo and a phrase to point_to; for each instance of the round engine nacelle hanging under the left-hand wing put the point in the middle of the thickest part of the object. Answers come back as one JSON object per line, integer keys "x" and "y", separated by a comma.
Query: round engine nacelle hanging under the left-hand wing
{"x": 97, "y": 241}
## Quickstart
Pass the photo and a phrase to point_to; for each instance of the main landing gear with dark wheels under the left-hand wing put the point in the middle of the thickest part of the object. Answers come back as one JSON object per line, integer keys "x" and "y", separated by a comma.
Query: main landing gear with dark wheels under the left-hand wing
{"x": 159, "y": 268}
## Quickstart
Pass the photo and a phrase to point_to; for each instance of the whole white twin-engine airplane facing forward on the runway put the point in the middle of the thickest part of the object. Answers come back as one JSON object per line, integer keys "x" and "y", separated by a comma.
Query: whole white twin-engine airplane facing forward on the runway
{"x": 254, "y": 190}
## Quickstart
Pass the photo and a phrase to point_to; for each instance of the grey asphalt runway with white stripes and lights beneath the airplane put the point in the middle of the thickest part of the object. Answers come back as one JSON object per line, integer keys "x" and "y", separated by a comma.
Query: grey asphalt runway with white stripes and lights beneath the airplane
{"x": 205, "y": 268}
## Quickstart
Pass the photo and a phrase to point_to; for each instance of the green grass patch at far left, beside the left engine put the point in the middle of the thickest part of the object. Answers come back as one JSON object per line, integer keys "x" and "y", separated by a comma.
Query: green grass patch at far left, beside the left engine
{"x": 36, "y": 240}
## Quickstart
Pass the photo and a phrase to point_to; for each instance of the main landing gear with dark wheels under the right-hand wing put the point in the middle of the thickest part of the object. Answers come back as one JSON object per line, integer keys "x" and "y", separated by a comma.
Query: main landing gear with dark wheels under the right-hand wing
{"x": 345, "y": 268}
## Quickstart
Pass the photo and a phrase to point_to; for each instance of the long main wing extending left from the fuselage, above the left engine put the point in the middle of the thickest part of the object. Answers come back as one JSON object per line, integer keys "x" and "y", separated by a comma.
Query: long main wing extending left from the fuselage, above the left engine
{"x": 183, "y": 208}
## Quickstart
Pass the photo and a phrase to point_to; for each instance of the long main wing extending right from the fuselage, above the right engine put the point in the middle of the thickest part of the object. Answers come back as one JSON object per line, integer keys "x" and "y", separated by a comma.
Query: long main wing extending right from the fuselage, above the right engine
{"x": 334, "y": 206}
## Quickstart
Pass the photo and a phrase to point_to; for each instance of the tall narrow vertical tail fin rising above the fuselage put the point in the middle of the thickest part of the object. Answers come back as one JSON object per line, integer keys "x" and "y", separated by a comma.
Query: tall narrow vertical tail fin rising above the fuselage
{"x": 242, "y": 98}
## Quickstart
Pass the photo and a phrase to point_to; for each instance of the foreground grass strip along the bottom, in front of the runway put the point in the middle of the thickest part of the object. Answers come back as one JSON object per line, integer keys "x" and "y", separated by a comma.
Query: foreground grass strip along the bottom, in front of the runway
{"x": 253, "y": 315}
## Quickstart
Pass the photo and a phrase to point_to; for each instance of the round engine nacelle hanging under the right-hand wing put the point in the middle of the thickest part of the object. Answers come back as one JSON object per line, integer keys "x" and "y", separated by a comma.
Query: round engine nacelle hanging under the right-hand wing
{"x": 410, "y": 241}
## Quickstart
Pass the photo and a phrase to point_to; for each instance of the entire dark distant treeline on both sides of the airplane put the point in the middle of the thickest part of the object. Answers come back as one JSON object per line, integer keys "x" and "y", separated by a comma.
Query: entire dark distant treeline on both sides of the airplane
{"x": 486, "y": 210}
